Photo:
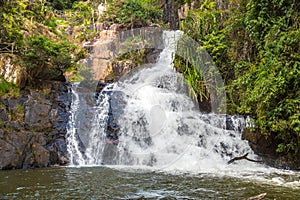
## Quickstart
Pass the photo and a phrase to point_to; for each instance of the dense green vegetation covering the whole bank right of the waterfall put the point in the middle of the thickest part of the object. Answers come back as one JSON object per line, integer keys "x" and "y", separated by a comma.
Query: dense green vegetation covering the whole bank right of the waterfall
{"x": 255, "y": 45}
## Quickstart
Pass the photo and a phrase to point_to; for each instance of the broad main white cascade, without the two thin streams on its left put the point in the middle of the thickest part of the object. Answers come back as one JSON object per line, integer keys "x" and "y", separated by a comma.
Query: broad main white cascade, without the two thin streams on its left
{"x": 161, "y": 126}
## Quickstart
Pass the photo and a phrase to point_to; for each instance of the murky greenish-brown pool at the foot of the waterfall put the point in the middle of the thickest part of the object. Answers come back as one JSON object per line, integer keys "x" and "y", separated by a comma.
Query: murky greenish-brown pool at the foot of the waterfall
{"x": 133, "y": 183}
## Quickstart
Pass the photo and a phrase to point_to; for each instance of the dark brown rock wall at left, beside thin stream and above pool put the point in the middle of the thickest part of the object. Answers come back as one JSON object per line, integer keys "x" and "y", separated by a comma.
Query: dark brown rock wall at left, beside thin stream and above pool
{"x": 33, "y": 127}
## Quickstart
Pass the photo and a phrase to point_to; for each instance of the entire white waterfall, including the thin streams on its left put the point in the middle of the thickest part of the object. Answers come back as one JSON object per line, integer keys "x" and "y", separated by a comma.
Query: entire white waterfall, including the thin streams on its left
{"x": 160, "y": 125}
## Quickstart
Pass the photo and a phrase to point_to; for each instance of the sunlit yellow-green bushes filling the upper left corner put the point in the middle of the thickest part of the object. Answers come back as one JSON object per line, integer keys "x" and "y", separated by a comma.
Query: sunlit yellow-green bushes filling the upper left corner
{"x": 42, "y": 35}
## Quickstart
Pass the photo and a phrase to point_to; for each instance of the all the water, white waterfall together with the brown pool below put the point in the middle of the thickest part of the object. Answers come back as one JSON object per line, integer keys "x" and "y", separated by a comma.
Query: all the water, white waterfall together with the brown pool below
{"x": 166, "y": 149}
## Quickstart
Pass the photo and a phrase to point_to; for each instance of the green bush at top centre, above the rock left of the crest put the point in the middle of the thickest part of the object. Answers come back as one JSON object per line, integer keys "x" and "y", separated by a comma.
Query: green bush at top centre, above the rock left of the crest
{"x": 133, "y": 13}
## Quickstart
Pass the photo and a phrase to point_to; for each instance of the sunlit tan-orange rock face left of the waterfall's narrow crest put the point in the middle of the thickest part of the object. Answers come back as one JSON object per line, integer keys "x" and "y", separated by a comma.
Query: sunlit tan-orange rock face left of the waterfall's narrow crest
{"x": 103, "y": 61}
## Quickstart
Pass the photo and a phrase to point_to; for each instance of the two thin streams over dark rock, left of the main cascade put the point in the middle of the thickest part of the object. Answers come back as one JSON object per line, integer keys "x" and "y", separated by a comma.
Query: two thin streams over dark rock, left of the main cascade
{"x": 87, "y": 126}
